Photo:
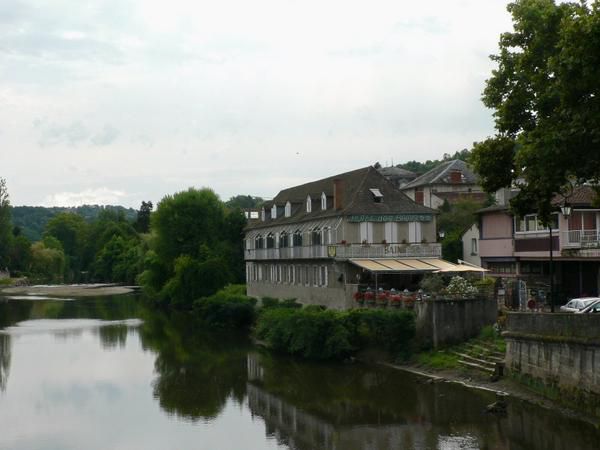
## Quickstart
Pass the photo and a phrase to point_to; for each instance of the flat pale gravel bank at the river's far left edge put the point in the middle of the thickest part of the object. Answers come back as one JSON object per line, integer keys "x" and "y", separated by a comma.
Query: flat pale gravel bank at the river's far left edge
{"x": 69, "y": 290}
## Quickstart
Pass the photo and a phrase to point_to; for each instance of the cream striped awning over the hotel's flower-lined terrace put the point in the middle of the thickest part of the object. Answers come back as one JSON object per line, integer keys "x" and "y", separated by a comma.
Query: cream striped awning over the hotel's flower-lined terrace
{"x": 421, "y": 265}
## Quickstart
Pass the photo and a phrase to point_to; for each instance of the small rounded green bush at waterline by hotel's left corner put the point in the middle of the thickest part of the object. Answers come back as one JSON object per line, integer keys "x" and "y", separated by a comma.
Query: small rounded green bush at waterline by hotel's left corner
{"x": 228, "y": 308}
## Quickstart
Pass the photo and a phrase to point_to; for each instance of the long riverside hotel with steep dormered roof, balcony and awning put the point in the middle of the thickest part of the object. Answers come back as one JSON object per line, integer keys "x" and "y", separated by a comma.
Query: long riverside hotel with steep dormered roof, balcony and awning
{"x": 320, "y": 241}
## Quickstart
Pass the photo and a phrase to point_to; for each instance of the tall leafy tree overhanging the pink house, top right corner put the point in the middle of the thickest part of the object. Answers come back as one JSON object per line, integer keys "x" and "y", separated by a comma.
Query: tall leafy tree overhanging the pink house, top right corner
{"x": 545, "y": 94}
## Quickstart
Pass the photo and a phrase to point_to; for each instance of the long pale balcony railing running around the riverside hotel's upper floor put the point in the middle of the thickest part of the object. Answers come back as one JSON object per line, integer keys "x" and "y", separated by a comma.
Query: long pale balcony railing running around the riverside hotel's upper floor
{"x": 344, "y": 251}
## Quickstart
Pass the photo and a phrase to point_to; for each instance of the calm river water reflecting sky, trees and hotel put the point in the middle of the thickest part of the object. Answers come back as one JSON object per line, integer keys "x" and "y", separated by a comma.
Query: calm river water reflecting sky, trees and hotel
{"x": 107, "y": 373}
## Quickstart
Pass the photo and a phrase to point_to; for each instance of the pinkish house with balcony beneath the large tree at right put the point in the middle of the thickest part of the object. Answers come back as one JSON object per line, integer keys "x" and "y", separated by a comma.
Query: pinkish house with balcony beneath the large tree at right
{"x": 519, "y": 247}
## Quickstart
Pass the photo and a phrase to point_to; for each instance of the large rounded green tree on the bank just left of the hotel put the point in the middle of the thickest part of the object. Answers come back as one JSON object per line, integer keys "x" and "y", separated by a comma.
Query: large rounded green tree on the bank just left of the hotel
{"x": 195, "y": 243}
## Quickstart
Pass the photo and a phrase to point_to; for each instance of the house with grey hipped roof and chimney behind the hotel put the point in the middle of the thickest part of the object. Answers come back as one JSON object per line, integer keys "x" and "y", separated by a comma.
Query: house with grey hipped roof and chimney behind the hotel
{"x": 451, "y": 181}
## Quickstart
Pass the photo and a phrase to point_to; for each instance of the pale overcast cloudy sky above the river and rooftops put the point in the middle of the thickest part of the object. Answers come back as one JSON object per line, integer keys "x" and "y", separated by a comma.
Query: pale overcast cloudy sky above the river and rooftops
{"x": 119, "y": 101}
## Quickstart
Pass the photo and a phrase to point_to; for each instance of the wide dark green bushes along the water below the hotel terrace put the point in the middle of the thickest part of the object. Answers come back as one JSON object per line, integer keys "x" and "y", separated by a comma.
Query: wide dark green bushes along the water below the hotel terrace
{"x": 315, "y": 333}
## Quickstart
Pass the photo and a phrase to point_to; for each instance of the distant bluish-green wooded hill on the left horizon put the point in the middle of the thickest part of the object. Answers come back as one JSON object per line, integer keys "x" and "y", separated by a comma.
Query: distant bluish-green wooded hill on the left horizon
{"x": 33, "y": 219}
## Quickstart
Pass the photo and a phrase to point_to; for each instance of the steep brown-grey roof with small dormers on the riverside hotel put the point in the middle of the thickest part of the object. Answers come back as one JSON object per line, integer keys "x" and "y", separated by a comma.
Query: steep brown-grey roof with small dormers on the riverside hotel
{"x": 356, "y": 199}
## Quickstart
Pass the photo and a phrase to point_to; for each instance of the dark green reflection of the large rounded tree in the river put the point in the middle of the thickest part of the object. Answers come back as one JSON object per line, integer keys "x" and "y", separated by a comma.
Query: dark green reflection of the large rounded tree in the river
{"x": 197, "y": 372}
